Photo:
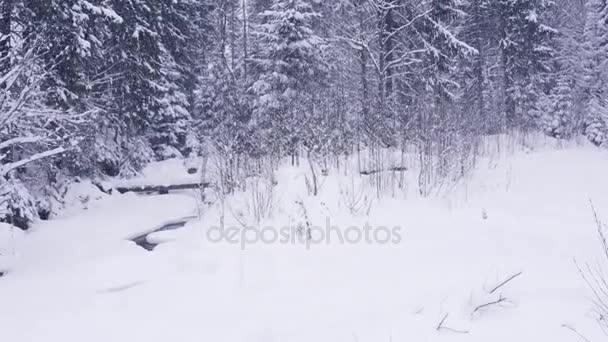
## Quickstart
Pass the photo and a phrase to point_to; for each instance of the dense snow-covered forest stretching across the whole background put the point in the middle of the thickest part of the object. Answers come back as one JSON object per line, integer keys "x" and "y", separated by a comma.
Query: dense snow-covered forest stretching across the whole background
{"x": 93, "y": 88}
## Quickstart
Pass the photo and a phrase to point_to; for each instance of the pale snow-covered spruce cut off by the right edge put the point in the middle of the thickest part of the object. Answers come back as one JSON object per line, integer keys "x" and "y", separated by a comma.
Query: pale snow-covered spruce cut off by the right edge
{"x": 596, "y": 71}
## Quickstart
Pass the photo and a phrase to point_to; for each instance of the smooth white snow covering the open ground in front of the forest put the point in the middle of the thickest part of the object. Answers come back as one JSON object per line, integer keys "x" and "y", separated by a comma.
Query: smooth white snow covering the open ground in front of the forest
{"x": 78, "y": 278}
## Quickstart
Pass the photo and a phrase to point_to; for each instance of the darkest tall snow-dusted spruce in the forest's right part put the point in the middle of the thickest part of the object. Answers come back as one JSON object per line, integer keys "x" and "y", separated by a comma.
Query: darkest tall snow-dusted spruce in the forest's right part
{"x": 527, "y": 48}
